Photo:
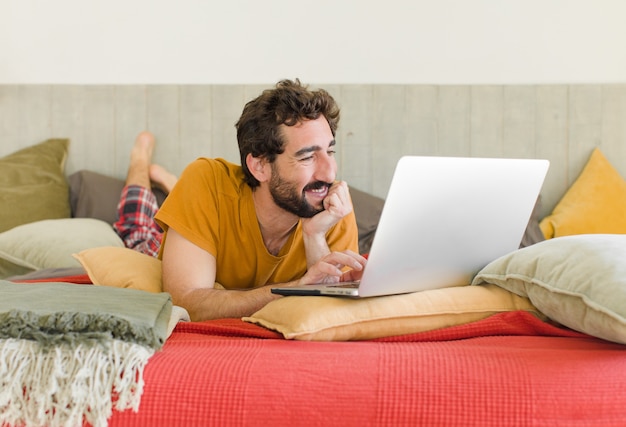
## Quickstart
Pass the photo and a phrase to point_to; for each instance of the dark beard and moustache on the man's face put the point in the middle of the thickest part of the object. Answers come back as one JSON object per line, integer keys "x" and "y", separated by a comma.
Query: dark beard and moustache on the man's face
{"x": 287, "y": 197}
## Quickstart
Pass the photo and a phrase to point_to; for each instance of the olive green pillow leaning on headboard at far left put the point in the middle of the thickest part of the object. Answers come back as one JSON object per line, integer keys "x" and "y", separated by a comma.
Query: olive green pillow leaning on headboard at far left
{"x": 33, "y": 186}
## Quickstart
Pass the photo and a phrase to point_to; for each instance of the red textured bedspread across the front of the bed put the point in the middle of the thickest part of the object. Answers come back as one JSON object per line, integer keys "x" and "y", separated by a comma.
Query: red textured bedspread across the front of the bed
{"x": 509, "y": 369}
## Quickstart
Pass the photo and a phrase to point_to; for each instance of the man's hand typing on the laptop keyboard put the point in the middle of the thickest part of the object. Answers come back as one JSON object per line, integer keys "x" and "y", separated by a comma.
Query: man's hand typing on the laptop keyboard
{"x": 329, "y": 268}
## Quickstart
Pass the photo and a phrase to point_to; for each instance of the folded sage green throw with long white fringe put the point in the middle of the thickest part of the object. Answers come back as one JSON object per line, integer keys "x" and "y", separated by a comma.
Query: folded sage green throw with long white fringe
{"x": 71, "y": 354}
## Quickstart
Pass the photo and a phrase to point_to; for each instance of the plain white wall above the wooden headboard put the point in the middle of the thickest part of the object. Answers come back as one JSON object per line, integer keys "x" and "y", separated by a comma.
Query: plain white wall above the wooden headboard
{"x": 326, "y": 41}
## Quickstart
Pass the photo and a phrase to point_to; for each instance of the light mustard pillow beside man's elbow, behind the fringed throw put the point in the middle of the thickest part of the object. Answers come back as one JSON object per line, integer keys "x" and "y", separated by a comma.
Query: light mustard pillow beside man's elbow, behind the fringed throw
{"x": 121, "y": 268}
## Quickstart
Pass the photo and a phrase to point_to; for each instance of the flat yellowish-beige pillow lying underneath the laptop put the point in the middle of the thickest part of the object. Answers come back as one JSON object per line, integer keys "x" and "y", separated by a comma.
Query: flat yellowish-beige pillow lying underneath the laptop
{"x": 313, "y": 318}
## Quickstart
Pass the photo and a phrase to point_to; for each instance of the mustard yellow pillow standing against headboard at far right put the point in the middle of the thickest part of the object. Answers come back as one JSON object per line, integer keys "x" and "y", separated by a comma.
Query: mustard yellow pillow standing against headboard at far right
{"x": 594, "y": 204}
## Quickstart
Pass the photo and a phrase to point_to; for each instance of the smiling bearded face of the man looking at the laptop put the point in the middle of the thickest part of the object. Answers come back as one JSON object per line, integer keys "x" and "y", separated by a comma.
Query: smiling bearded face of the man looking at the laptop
{"x": 302, "y": 175}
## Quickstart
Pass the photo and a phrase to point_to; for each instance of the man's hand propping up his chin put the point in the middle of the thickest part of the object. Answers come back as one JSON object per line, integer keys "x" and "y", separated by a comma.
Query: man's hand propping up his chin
{"x": 337, "y": 205}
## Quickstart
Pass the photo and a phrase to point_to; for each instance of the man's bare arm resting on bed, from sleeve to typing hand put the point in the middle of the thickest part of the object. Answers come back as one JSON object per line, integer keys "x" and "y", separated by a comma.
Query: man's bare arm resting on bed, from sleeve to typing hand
{"x": 189, "y": 276}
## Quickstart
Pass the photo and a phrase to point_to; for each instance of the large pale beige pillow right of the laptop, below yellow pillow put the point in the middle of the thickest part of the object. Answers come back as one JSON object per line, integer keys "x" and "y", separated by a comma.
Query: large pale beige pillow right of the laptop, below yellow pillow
{"x": 578, "y": 281}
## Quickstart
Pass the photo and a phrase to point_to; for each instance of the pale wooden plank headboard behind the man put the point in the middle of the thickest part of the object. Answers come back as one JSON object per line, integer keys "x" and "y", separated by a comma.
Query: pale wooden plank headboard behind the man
{"x": 379, "y": 123}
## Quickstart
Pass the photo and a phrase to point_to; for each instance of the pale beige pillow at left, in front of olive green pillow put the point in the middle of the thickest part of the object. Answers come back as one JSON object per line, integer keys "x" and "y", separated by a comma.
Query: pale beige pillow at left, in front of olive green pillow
{"x": 50, "y": 244}
